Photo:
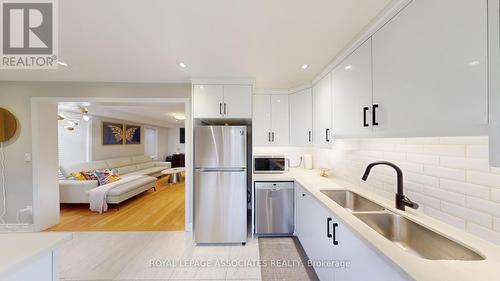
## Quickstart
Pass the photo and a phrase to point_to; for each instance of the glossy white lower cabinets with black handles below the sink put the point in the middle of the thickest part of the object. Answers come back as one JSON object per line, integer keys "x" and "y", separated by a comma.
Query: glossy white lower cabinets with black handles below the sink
{"x": 336, "y": 252}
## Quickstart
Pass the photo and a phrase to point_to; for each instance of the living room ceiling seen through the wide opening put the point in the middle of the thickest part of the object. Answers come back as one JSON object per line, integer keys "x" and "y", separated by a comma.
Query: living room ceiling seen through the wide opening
{"x": 157, "y": 115}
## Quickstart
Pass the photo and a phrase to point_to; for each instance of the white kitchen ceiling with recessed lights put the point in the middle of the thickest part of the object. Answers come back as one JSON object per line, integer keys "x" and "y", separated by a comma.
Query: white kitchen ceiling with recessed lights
{"x": 141, "y": 41}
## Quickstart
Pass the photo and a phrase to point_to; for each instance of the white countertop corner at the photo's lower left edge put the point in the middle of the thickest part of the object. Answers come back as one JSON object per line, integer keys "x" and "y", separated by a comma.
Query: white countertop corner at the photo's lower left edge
{"x": 19, "y": 249}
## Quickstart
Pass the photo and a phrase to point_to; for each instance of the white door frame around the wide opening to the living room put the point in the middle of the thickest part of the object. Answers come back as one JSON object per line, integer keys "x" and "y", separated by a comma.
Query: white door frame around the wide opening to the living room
{"x": 43, "y": 221}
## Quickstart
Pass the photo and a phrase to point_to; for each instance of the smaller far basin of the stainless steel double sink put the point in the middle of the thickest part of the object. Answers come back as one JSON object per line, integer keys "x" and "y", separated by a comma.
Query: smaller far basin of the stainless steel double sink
{"x": 352, "y": 201}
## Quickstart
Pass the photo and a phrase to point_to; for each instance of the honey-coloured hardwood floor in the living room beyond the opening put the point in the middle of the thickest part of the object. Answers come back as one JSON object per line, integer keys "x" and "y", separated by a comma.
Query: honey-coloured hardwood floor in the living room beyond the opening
{"x": 150, "y": 211}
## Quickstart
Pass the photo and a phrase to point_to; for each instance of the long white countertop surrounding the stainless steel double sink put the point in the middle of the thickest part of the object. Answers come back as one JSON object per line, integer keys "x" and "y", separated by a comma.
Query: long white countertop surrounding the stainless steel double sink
{"x": 416, "y": 267}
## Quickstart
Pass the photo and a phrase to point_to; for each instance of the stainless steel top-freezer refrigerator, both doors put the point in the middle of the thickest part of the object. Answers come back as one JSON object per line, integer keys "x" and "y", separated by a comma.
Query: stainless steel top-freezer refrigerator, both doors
{"x": 220, "y": 184}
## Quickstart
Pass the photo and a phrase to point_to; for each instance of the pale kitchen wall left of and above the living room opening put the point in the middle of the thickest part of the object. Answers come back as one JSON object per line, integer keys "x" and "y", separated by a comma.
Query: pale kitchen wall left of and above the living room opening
{"x": 16, "y": 97}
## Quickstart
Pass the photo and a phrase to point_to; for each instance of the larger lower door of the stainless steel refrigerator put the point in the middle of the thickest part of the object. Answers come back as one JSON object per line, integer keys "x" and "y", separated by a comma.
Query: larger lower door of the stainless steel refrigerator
{"x": 220, "y": 201}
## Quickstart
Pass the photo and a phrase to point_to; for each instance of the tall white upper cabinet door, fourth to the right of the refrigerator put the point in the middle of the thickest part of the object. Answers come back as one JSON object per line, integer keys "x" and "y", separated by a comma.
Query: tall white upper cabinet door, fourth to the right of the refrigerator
{"x": 322, "y": 107}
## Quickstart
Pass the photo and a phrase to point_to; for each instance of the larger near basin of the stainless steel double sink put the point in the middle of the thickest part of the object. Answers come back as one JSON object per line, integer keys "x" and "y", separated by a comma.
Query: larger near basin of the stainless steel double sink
{"x": 416, "y": 238}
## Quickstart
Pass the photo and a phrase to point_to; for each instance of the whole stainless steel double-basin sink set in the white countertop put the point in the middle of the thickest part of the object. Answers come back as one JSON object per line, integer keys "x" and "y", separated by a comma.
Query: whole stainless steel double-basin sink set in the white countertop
{"x": 409, "y": 235}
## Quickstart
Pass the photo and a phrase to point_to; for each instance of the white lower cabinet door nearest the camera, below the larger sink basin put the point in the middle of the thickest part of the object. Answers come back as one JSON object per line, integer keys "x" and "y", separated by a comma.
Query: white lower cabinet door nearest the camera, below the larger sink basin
{"x": 364, "y": 263}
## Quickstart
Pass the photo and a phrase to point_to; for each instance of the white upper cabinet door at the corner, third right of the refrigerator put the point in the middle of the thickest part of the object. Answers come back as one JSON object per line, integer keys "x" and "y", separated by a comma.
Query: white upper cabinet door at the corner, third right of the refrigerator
{"x": 301, "y": 118}
